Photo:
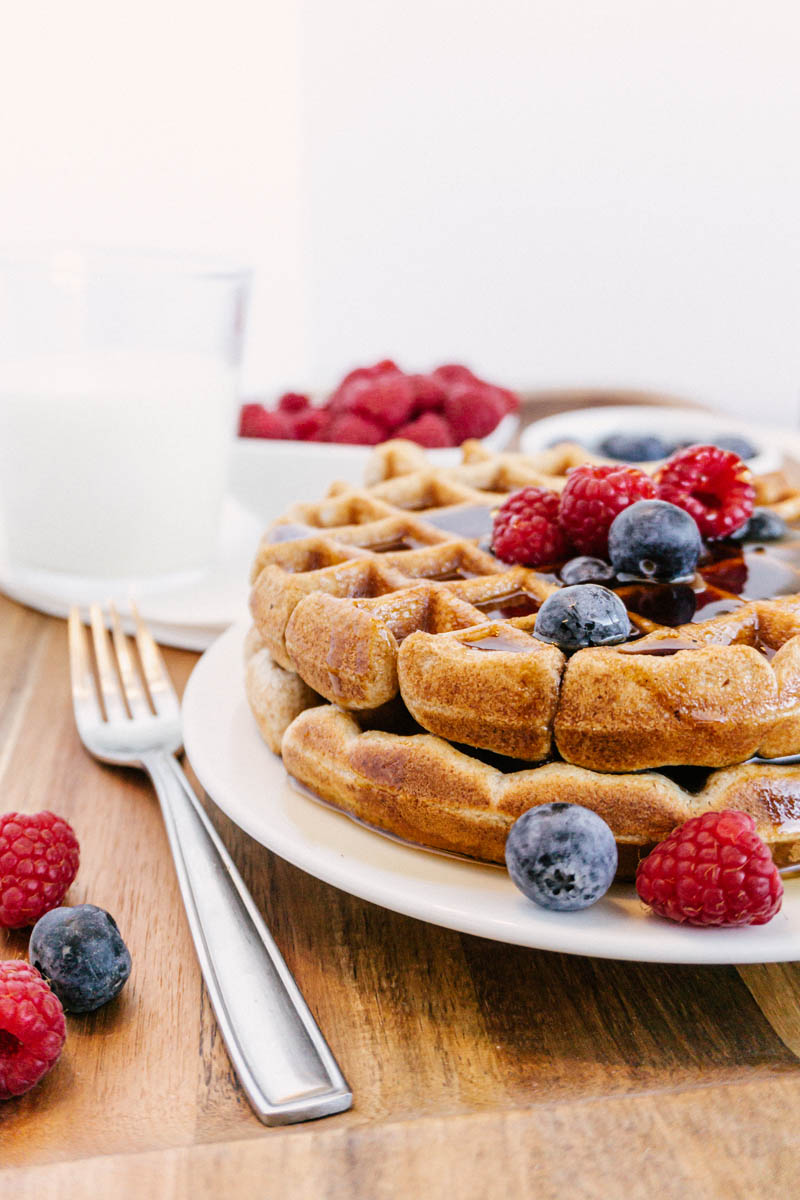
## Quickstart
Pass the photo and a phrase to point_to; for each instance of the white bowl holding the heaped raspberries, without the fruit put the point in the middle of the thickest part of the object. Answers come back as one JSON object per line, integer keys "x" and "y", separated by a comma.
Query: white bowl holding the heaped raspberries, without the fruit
{"x": 267, "y": 476}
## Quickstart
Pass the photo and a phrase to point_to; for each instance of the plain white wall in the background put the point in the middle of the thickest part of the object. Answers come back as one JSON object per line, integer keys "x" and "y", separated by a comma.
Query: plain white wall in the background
{"x": 556, "y": 193}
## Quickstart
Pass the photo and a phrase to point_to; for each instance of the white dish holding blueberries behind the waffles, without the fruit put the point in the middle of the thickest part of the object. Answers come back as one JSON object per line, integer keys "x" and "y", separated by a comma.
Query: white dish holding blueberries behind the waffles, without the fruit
{"x": 592, "y": 425}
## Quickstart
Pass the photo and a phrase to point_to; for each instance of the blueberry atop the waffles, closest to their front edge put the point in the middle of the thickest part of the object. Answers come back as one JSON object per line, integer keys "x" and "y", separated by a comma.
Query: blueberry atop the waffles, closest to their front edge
{"x": 584, "y": 615}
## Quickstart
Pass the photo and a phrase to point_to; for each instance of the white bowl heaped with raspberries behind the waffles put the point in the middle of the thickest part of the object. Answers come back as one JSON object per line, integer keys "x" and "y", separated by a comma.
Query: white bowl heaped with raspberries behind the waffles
{"x": 299, "y": 447}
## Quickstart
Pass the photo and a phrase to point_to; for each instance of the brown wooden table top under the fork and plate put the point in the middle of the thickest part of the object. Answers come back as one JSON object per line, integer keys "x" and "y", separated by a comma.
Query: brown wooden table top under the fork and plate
{"x": 479, "y": 1070}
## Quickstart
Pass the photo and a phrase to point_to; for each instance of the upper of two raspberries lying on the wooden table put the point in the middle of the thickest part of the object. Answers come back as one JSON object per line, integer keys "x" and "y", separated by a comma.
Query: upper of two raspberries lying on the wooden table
{"x": 39, "y": 861}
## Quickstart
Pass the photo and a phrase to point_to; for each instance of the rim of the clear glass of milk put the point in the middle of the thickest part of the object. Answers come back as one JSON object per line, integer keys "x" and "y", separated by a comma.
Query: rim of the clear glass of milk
{"x": 101, "y": 260}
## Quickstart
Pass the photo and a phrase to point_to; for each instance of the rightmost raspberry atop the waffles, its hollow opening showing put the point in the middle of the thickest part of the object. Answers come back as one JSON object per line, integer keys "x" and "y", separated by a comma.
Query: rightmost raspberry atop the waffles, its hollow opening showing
{"x": 712, "y": 485}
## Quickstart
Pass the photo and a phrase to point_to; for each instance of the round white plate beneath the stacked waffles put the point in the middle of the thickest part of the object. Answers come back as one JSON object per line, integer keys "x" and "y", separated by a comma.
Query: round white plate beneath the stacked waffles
{"x": 249, "y": 783}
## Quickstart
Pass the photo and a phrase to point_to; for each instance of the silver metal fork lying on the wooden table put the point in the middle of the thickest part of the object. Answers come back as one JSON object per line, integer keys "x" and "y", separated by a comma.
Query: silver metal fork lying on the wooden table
{"x": 276, "y": 1048}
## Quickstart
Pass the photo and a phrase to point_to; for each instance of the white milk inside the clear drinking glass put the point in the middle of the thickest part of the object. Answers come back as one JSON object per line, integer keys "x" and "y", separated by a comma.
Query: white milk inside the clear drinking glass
{"x": 115, "y": 467}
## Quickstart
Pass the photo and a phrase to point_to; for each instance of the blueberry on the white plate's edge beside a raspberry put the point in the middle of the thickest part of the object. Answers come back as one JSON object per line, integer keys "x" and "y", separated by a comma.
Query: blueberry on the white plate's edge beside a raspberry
{"x": 562, "y": 856}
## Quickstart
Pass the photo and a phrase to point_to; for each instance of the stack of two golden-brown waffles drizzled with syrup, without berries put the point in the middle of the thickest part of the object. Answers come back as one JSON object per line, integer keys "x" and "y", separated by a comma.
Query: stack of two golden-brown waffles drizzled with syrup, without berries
{"x": 393, "y": 664}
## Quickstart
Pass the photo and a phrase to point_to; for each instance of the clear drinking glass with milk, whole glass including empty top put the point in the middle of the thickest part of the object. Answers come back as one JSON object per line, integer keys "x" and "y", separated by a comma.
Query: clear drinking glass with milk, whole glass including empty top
{"x": 118, "y": 406}
